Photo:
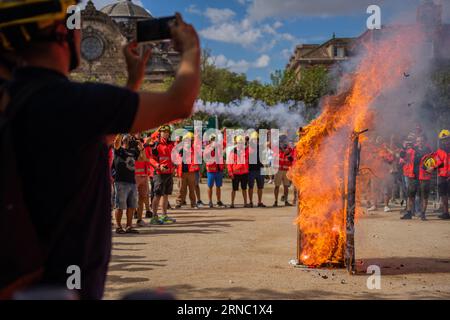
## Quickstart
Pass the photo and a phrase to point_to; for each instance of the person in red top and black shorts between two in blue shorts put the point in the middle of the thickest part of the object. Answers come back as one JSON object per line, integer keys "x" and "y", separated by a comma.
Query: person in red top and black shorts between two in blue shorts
{"x": 238, "y": 169}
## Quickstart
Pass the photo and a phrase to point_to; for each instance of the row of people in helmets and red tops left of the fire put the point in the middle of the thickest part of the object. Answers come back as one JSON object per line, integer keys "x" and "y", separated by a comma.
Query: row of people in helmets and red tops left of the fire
{"x": 143, "y": 170}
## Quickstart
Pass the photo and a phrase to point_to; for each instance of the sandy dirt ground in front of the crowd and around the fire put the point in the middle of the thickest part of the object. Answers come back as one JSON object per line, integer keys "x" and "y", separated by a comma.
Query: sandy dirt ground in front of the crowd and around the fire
{"x": 244, "y": 254}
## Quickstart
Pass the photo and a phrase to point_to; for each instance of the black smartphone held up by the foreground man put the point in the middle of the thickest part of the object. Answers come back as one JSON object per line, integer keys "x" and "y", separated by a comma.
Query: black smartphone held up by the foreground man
{"x": 154, "y": 29}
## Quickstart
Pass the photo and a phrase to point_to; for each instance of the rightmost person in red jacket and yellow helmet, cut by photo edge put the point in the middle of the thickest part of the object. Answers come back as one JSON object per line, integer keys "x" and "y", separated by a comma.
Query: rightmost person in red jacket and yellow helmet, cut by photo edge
{"x": 442, "y": 164}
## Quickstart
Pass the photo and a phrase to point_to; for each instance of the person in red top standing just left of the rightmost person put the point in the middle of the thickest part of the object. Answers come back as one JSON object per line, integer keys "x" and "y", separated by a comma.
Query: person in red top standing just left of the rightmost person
{"x": 418, "y": 177}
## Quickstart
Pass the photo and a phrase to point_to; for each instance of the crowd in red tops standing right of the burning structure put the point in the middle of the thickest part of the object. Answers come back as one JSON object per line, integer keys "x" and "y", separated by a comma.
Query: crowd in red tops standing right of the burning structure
{"x": 407, "y": 173}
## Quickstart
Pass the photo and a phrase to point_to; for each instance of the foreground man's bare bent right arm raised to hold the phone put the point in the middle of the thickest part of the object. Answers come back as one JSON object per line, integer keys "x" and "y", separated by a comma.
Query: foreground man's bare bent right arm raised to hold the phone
{"x": 177, "y": 103}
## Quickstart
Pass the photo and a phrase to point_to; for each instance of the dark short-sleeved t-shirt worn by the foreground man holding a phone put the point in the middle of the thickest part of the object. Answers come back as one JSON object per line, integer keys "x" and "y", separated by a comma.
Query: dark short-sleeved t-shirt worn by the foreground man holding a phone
{"x": 63, "y": 163}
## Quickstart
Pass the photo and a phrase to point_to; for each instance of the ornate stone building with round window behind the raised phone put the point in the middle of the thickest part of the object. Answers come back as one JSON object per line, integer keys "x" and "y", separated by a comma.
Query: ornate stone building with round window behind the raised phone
{"x": 106, "y": 31}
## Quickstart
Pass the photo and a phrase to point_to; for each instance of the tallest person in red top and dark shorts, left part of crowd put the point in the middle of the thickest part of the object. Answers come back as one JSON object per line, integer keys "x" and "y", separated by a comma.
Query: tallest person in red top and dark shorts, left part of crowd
{"x": 163, "y": 179}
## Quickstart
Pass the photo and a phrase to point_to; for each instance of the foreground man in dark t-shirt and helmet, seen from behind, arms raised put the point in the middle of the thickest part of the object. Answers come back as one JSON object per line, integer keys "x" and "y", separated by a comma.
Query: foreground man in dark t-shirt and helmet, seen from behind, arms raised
{"x": 45, "y": 235}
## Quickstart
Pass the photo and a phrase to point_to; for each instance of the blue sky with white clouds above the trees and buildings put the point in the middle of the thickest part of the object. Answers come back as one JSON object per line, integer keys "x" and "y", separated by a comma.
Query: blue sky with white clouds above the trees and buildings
{"x": 256, "y": 37}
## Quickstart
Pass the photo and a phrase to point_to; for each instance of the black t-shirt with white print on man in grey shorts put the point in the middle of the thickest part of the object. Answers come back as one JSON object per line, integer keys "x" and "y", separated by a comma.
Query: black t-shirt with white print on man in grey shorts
{"x": 124, "y": 164}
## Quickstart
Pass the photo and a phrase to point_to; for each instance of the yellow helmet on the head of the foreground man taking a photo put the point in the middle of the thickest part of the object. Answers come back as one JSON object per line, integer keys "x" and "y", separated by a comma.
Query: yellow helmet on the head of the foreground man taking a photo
{"x": 21, "y": 21}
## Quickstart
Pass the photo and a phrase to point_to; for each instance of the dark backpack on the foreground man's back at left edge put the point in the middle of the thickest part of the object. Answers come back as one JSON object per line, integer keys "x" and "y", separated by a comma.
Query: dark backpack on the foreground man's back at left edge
{"x": 21, "y": 255}
